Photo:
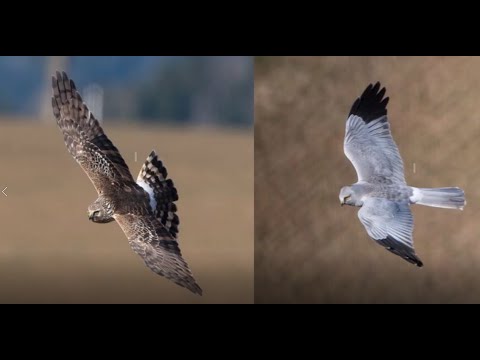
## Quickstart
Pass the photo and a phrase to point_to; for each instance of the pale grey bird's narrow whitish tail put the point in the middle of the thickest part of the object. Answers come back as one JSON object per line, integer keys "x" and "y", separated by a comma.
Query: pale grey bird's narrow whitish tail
{"x": 447, "y": 198}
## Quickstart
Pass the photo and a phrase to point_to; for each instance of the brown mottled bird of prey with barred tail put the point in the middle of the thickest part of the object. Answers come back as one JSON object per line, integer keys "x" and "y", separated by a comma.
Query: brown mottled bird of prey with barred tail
{"x": 145, "y": 208}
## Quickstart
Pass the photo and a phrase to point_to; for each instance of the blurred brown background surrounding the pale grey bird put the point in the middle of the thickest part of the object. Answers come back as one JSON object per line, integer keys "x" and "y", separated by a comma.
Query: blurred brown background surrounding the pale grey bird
{"x": 308, "y": 249}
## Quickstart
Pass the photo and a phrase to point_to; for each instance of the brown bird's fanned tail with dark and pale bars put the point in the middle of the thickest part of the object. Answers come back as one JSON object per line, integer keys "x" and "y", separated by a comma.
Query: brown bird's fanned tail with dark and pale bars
{"x": 154, "y": 174}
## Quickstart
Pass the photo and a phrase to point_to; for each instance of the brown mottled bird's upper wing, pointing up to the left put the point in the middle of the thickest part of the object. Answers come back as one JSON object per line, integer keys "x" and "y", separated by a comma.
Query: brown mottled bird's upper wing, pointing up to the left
{"x": 85, "y": 138}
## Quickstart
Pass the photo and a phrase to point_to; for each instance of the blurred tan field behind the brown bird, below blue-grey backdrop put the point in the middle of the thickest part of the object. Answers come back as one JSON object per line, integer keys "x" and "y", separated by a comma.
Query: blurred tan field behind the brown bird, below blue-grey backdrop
{"x": 51, "y": 253}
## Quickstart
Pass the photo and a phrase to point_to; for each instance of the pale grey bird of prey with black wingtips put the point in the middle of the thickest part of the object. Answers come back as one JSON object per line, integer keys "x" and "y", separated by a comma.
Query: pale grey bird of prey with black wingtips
{"x": 381, "y": 192}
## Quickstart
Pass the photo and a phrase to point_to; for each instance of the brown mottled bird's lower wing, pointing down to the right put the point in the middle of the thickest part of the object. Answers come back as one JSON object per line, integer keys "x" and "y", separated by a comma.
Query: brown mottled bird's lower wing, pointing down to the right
{"x": 153, "y": 242}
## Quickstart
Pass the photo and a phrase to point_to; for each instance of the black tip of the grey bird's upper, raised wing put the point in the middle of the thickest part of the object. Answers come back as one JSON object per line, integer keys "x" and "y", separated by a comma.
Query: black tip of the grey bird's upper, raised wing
{"x": 370, "y": 105}
